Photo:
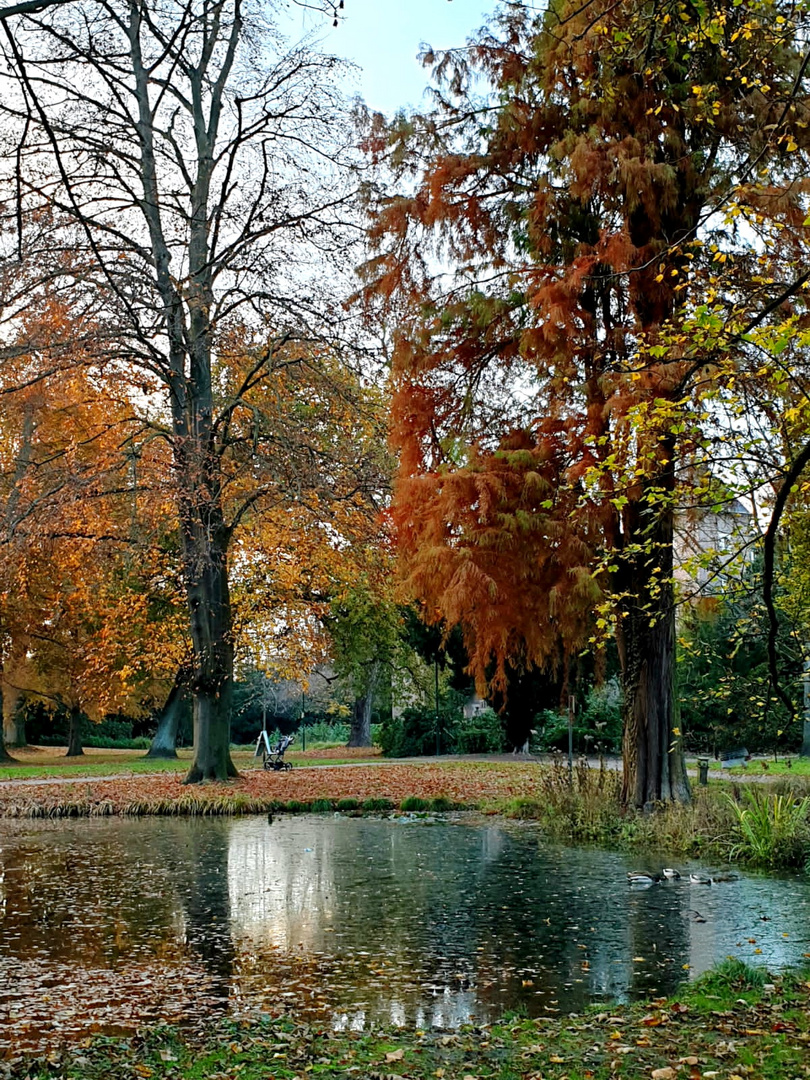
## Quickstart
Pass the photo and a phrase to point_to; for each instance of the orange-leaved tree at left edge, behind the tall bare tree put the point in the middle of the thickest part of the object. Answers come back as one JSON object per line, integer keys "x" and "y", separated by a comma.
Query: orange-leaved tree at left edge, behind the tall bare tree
{"x": 91, "y": 616}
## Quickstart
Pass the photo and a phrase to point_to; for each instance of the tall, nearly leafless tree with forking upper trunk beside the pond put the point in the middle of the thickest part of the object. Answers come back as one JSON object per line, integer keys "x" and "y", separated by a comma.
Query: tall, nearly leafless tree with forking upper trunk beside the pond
{"x": 196, "y": 171}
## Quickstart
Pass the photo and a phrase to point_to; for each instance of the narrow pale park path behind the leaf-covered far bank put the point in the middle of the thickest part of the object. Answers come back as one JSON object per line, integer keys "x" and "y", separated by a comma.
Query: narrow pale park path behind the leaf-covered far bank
{"x": 612, "y": 763}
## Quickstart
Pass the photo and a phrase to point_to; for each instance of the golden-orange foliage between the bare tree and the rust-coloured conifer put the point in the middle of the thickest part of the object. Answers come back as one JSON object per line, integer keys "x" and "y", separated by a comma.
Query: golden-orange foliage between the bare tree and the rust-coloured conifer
{"x": 307, "y": 492}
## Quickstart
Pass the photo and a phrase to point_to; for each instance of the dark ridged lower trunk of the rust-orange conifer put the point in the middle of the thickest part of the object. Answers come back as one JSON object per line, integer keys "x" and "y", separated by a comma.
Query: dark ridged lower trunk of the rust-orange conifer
{"x": 653, "y": 754}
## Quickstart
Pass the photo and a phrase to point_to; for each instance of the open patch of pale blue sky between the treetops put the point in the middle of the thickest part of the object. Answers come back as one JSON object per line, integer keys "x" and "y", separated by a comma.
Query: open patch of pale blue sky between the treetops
{"x": 384, "y": 38}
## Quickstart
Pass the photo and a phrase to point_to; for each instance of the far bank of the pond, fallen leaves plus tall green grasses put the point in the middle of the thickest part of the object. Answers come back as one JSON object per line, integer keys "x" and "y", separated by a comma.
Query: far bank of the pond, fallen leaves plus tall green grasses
{"x": 767, "y": 827}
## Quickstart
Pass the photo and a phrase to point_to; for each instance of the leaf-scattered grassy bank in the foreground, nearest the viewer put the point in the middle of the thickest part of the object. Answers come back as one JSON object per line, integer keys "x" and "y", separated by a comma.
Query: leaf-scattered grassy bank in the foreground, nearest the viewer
{"x": 733, "y": 1024}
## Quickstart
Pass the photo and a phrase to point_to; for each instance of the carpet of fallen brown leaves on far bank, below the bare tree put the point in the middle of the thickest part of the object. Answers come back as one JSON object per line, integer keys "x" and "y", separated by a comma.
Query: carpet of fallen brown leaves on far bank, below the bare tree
{"x": 460, "y": 782}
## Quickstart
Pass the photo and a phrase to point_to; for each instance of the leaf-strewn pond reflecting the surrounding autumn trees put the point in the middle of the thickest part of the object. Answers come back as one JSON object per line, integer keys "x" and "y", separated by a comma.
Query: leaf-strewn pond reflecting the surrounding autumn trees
{"x": 107, "y": 924}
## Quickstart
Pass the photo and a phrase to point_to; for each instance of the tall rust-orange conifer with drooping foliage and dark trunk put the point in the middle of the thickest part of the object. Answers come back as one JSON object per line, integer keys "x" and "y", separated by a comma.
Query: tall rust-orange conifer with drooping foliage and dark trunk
{"x": 559, "y": 215}
